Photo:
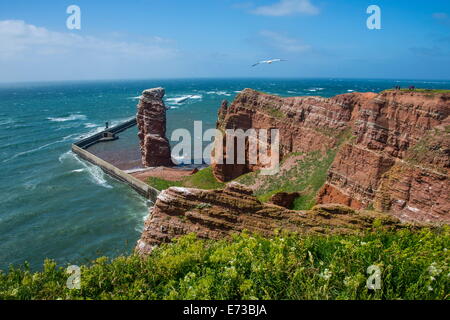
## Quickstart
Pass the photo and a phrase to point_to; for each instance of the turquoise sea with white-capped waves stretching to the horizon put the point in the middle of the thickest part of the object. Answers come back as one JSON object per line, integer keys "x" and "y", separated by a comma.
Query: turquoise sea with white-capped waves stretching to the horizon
{"x": 54, "y": 205}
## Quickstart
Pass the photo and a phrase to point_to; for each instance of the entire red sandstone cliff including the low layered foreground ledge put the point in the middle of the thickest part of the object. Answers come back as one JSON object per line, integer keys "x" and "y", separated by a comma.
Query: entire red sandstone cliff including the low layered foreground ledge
{"x": 392, "y": 152}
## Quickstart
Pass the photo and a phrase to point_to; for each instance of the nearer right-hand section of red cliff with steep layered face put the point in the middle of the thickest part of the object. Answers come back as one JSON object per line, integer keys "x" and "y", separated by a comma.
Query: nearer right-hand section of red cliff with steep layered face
{"x": 399, "y": 160}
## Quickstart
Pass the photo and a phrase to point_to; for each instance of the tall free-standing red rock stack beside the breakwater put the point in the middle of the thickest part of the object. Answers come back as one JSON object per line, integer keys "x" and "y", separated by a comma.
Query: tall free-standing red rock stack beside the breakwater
{"x": 151, "y": 120}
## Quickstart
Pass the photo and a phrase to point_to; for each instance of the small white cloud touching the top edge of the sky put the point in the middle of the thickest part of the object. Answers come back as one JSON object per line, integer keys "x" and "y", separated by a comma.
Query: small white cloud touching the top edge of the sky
{"x": 287, "y": 7}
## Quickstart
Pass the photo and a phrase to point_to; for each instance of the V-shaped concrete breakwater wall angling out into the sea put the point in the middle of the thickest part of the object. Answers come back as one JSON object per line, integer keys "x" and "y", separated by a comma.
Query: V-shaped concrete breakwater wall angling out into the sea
{"x": 79, "y": 148}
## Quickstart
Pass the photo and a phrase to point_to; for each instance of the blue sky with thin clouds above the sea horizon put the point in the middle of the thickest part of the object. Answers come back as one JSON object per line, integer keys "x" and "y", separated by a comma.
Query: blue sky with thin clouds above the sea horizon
{"x": 222, "y": 38}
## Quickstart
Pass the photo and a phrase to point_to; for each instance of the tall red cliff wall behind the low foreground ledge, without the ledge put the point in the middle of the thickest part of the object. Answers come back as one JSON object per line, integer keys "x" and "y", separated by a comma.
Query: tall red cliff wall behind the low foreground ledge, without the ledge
{"x": 396, "y": 160}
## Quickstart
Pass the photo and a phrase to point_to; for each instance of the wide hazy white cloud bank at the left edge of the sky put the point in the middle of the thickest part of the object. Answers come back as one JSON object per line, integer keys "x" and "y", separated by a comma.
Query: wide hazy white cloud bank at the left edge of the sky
{"x": 20, "y": 39}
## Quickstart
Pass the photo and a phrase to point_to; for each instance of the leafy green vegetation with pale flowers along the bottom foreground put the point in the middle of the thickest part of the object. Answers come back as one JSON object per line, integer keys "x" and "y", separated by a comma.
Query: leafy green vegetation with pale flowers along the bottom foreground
{"x": 413, "y": 265}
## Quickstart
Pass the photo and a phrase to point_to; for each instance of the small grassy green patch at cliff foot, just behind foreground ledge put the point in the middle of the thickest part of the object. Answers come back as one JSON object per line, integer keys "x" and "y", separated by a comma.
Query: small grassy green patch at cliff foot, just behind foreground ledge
{"x": 204, "y": 179}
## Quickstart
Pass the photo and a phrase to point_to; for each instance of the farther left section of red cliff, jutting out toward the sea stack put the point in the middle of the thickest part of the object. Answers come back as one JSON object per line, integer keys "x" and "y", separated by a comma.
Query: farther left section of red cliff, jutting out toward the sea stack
{"x": 305, "y": 124}
